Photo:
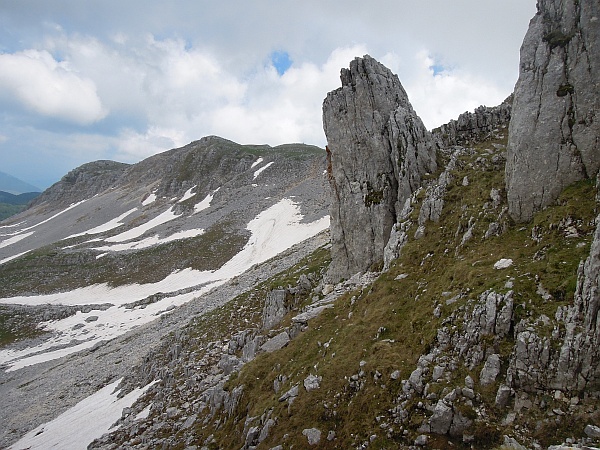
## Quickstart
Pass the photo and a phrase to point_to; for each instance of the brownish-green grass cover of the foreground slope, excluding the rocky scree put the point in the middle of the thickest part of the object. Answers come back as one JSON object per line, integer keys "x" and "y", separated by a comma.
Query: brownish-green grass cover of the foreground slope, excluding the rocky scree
{"x": 389, "y": 326}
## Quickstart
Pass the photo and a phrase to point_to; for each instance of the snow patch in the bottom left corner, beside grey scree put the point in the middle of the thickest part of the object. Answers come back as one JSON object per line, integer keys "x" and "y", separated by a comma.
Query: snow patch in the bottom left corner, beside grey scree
{"x": 77, "y": 427}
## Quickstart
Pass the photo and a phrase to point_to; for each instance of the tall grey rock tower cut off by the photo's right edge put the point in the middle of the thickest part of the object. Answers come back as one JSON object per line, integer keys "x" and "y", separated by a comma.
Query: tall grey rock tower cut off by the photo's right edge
{"x": 554, "y": 129}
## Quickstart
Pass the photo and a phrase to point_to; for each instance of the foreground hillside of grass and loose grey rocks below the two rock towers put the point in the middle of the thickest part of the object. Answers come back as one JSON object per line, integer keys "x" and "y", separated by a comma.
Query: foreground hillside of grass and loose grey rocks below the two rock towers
{"x": 427, "y": 354}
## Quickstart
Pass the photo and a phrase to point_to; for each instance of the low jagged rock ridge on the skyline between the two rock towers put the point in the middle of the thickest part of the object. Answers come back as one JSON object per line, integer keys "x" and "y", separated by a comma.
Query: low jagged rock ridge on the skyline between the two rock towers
{"x": 475, "y": 125}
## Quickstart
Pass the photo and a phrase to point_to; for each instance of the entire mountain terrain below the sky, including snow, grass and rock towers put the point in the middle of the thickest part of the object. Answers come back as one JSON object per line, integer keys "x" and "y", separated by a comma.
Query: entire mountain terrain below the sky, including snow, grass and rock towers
{"x": 475, "y": 324}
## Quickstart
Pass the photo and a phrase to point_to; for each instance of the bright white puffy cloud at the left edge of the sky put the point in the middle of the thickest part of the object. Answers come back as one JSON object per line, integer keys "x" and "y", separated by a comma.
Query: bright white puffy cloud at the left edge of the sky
{"x": 41, "y": 84}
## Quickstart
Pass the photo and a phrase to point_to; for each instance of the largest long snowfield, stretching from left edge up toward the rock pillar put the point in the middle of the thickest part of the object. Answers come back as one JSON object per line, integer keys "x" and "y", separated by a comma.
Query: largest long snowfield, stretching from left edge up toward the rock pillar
{"x": 273, "y": 231}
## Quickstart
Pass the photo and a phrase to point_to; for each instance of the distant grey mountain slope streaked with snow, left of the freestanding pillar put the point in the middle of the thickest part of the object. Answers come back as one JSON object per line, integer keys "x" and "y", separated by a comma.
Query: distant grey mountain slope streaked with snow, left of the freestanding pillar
{"x": 111, "y": 249}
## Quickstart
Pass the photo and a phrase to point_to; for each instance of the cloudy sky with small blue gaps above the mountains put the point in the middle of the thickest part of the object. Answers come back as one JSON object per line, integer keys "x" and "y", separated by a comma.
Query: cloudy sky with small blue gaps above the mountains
{"x": 123, "y": 80}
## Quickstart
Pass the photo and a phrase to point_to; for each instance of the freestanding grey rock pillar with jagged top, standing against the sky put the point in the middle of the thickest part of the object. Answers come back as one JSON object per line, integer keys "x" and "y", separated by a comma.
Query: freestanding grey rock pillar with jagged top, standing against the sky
{"x": 378, "y": 150}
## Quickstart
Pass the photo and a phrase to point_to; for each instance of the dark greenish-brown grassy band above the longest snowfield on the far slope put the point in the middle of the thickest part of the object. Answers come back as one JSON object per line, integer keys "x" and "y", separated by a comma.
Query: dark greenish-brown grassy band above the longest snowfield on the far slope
{"x": 51, "y": 269}
